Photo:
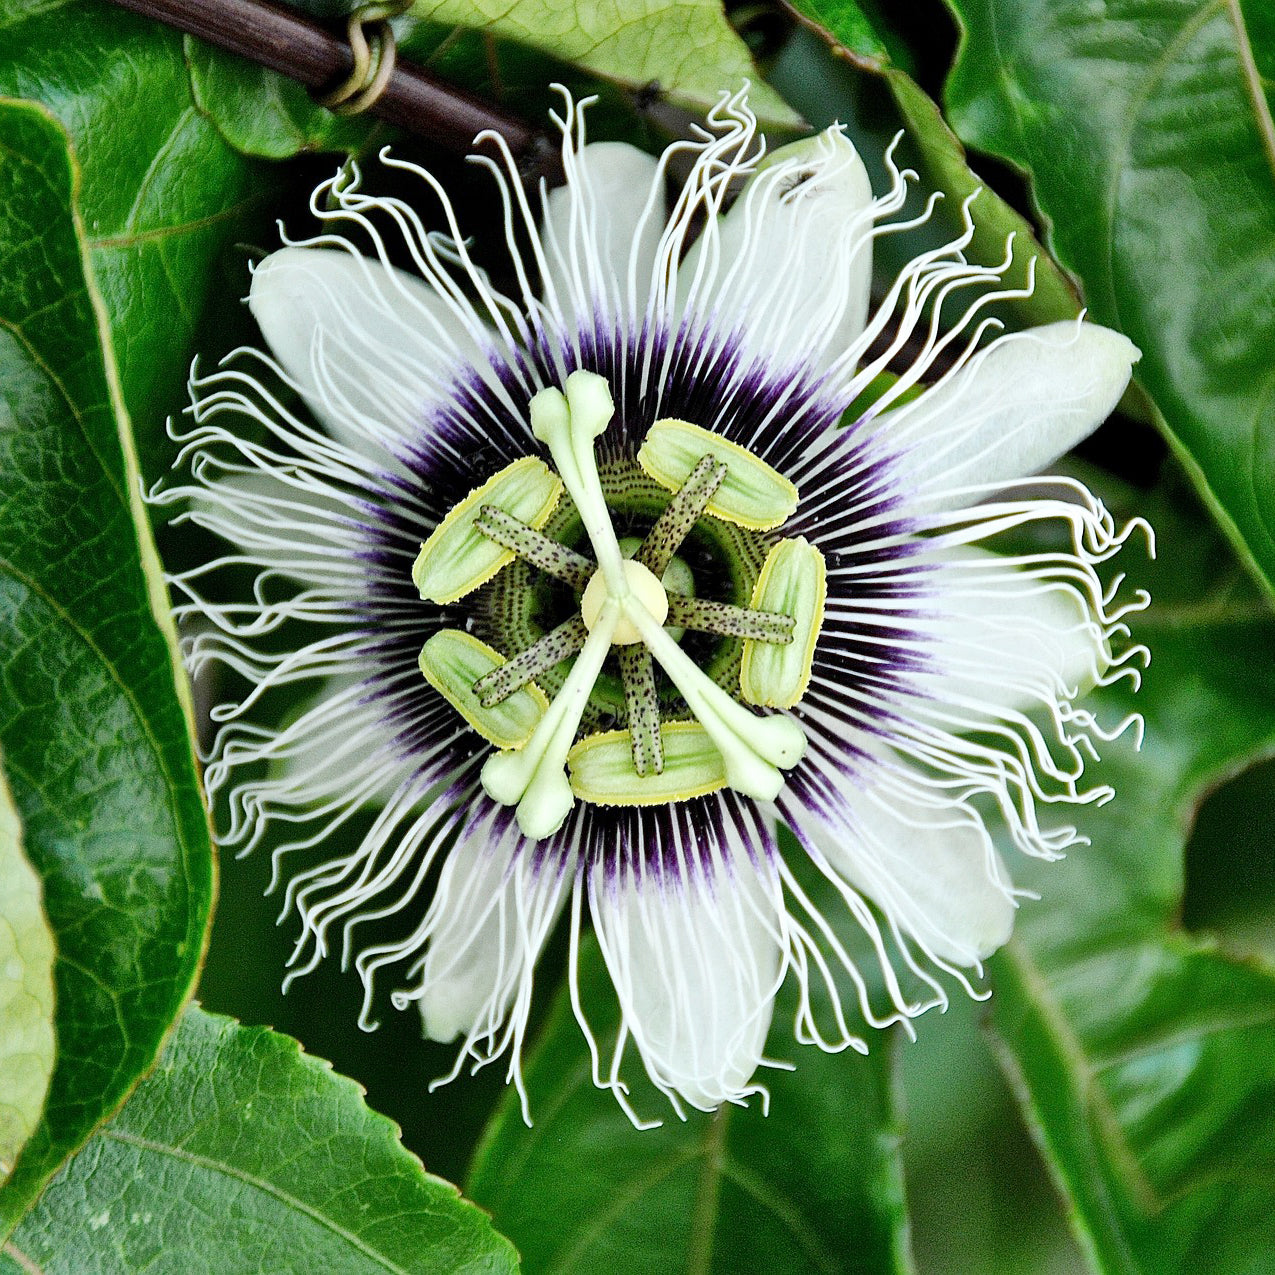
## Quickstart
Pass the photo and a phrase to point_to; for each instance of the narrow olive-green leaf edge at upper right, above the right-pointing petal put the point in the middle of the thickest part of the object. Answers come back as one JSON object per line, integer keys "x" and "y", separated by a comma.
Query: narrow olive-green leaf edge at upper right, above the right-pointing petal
{"x": 939, "y": 157}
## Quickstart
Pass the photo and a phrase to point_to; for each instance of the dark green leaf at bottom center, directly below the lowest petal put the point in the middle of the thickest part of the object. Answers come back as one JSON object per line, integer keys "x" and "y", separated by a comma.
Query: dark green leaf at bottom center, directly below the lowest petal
{"x": 738, "y": 1191}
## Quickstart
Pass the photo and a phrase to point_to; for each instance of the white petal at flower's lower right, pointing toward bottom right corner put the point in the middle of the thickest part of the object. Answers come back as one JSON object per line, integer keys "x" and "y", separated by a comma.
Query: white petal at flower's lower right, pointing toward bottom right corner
{"x": 925, "y": 863}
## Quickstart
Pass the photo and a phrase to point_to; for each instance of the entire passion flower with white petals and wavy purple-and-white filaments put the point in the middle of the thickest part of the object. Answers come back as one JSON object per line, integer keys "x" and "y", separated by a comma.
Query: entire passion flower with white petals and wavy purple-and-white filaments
{"x": 599, "y": 585}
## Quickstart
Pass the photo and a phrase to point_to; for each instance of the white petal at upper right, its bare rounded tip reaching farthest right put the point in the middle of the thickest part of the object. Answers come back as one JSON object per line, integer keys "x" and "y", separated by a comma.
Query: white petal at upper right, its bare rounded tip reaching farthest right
{"x": 1012, "y": 411}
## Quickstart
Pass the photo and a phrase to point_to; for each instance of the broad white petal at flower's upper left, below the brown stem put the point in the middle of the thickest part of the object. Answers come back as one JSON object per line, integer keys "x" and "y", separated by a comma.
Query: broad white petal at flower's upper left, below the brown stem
{"x": 368, "y": 346}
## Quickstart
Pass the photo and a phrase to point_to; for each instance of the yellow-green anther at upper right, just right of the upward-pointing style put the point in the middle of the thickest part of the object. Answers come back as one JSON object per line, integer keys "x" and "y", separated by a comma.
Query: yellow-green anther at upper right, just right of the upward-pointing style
{"x": 753, "y": 494}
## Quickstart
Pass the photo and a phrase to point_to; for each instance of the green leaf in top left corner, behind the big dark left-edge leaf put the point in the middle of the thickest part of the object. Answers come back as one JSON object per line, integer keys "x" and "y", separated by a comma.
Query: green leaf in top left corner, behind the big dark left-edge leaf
{"x": 163, "y": 194}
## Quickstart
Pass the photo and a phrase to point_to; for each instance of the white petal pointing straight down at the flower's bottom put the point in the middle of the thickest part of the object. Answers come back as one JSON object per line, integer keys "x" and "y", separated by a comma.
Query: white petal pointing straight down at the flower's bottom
{"x": 697, "y": 966}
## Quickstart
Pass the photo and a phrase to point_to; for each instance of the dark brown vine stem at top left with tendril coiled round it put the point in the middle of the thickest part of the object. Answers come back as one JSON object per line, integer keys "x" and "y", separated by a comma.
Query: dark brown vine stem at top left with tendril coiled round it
{"x": 294, "y": 45}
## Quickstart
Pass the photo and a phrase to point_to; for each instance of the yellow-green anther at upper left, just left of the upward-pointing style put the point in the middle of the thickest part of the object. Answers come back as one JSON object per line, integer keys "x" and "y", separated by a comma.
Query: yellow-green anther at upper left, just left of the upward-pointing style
{"x": 458, "y": 558}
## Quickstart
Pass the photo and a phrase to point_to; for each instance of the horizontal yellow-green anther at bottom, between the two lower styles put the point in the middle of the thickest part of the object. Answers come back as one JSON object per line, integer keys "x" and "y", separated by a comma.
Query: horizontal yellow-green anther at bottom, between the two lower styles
{"x": 604, "y": 772}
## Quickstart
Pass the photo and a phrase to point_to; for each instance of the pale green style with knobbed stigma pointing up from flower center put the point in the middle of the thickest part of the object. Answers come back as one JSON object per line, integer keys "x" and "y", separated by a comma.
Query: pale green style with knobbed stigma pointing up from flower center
{"x": 568, "y": 424}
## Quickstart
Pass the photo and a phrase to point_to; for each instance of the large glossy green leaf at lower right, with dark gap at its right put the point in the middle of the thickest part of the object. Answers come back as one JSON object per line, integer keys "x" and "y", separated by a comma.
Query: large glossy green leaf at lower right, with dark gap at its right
{"x": 1146, "y": 1059}
